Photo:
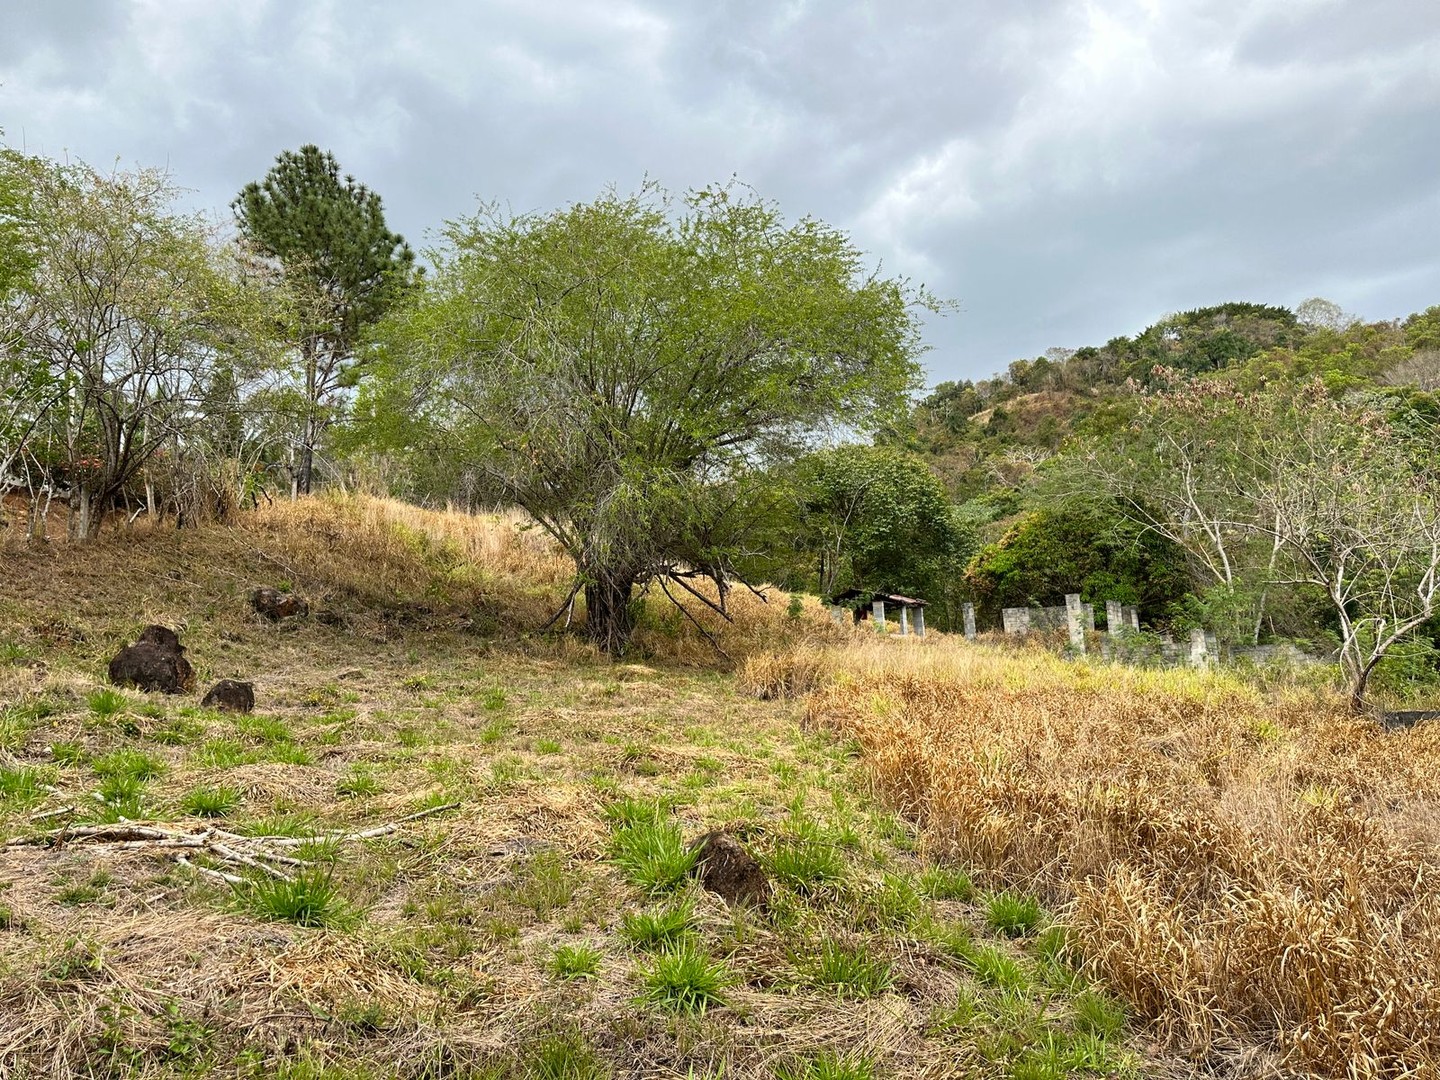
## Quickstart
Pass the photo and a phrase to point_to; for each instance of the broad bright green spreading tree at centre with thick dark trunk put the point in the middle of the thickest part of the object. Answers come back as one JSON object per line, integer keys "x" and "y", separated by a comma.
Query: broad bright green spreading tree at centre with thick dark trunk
{"x": 626, "y": 368}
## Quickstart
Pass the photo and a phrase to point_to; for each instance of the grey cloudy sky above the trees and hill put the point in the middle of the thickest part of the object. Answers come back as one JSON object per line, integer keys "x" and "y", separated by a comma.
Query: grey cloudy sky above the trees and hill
{"x": 1065, "y": 171}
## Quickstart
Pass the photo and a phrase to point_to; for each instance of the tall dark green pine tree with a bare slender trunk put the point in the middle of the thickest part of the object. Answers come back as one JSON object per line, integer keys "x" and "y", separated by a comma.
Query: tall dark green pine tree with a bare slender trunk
{"x": 342, "y": 267}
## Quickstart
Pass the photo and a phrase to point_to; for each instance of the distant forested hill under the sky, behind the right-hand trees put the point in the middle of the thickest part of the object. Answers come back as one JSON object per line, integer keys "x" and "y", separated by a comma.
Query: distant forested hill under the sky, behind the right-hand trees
{"x": 984, "y": 437}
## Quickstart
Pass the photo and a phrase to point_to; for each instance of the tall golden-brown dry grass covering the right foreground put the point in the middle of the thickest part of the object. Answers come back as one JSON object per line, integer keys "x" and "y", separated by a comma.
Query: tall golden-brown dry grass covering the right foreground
{"x": 1245, "y": 869}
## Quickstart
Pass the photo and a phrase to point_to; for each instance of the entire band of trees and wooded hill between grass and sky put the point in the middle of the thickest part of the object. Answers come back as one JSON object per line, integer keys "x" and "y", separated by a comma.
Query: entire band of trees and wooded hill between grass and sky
{"x": 685, "y": 390}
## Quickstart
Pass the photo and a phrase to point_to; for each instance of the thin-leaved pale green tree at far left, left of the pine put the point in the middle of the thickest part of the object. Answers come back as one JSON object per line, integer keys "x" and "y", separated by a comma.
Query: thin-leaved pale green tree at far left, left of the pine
{"x": 123, "y": 318}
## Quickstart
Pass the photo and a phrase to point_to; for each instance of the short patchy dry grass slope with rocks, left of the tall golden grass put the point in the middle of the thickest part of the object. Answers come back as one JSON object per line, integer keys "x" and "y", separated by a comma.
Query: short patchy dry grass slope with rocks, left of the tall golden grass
{"x": 428, "y": 685}
